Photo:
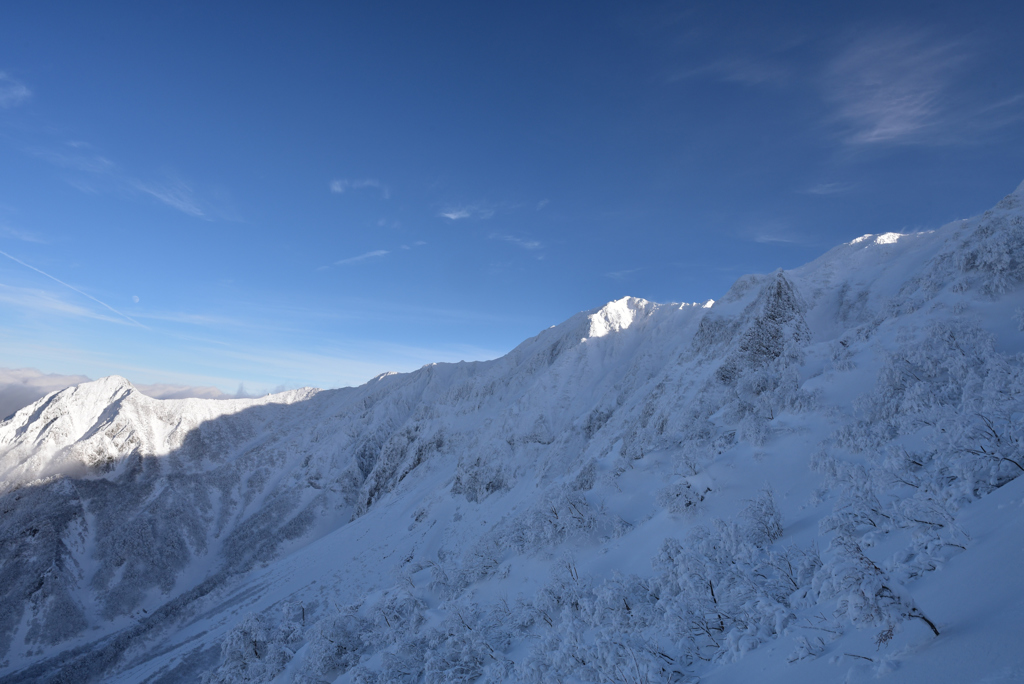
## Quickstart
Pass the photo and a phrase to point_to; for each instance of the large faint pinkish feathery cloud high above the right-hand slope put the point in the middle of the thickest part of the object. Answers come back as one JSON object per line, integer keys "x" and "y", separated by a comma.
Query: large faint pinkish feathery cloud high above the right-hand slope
{"x": 893, "y": 88}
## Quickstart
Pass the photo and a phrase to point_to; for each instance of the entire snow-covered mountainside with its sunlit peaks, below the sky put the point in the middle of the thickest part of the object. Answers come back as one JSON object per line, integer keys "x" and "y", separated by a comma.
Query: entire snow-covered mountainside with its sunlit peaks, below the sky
{"x": 813, "y": 480}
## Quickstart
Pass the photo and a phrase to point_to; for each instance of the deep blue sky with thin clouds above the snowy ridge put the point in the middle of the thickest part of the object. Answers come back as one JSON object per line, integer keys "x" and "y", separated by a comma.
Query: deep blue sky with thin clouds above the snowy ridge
{"x": 311, "y": 194}
